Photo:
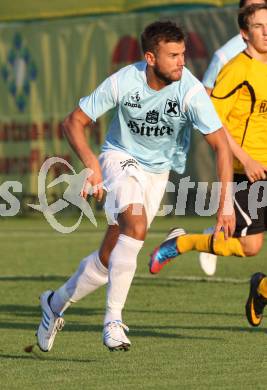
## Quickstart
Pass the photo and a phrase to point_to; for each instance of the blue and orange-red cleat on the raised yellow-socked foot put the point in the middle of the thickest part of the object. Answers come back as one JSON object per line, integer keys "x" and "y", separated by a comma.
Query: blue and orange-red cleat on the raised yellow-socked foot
{"x": 166, "y": 251}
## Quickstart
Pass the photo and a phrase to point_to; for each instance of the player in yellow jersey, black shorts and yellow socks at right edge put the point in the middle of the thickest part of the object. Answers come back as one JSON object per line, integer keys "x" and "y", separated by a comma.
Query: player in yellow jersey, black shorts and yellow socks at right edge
{"x": 240, "y": 98}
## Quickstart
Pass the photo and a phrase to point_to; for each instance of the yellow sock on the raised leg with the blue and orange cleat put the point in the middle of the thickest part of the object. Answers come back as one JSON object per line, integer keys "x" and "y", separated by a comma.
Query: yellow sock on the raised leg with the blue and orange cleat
{"x": 205, "y": 243}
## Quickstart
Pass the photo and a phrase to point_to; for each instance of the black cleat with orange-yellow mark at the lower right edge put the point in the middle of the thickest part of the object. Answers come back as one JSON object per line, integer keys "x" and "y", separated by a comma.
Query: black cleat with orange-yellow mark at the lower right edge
{"x": 255, "y": 303}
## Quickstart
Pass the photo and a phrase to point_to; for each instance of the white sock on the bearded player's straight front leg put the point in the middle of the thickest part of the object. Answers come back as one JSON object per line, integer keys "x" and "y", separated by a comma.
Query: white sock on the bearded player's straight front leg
{"x": 122, "y": 265}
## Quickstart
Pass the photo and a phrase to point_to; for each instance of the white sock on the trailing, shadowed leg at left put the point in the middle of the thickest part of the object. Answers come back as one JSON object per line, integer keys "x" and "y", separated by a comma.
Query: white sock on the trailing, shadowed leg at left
{"x": 90, "y": 275}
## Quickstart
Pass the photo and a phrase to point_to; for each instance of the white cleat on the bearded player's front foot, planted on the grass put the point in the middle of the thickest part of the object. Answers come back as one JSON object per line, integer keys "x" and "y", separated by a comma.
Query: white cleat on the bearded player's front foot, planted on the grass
{"x": 114, "y": 337}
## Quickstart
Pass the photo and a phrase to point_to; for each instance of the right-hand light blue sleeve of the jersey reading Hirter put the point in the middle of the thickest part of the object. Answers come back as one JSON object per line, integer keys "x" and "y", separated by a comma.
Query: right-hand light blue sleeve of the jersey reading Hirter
{"x": 200, "y": 110}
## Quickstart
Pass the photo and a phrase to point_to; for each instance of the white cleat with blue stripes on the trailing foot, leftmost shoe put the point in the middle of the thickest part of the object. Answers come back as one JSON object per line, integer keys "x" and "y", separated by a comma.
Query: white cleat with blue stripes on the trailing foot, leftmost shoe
{"x": 50, "y": 324}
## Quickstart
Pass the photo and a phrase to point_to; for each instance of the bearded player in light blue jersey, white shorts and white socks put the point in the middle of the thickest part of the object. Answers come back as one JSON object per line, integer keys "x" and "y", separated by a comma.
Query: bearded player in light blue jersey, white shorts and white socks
{"x": 157, "y": 101}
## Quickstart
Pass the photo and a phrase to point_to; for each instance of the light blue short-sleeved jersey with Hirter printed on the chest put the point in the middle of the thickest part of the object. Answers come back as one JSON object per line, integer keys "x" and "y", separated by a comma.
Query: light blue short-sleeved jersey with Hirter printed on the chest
{"x": 152, "y": 126}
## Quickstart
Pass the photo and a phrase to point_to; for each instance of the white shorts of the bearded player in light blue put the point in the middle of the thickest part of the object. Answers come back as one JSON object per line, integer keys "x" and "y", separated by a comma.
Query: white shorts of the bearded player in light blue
{"x": 126, "y": 182}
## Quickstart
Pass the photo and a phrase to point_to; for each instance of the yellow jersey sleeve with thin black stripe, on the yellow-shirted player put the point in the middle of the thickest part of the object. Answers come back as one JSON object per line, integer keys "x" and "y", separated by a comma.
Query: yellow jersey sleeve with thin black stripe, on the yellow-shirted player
{"x": 227, "y": 87}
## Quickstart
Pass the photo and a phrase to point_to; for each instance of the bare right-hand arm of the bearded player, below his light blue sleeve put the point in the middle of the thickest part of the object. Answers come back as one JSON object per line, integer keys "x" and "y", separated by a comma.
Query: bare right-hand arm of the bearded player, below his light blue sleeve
{"x": 224, "y": 162}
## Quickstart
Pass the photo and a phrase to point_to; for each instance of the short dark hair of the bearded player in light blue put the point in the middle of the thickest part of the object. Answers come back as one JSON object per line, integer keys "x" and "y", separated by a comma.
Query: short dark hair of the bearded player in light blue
{"x": 160, "y": 31}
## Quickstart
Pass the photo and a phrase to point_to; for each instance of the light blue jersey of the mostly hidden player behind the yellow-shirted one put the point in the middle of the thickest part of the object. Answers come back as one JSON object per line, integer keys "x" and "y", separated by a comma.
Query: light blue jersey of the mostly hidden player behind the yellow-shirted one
{"x": 223, "y": 55}
